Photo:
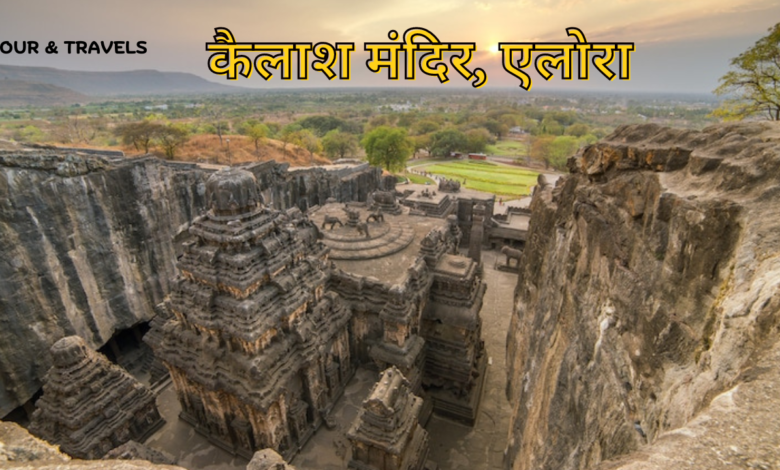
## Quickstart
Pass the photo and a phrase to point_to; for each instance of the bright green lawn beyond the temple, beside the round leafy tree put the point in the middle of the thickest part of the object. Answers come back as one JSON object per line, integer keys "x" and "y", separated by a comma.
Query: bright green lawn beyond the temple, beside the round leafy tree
{"x": 488, "y": 177}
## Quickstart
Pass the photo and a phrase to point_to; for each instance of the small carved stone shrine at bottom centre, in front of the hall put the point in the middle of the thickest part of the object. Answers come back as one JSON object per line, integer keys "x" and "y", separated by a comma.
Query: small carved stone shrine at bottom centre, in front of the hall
{"x": 386, "y": 434}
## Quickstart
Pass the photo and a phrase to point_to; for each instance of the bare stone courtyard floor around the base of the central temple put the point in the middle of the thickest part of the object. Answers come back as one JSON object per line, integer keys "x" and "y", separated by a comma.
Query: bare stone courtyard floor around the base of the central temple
{"x": 453, "y": 445}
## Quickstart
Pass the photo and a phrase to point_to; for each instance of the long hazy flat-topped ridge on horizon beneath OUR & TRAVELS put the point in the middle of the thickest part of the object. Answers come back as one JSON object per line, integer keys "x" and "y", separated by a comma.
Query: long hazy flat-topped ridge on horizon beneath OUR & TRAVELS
{"x": 134, "y": 82}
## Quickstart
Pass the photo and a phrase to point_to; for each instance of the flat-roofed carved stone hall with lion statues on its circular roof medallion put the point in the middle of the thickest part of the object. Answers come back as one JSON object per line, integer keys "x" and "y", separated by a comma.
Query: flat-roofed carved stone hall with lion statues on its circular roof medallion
{"x": 415, "y": 305}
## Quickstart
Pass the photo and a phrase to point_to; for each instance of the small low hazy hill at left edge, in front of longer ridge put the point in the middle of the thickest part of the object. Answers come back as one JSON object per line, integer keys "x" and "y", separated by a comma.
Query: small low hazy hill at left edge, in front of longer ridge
{"x": 14, "y": 93}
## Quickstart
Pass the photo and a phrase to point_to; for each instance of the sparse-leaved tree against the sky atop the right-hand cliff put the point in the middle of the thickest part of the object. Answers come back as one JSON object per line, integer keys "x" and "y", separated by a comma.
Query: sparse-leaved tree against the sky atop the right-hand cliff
{"x": 755, "y": 81}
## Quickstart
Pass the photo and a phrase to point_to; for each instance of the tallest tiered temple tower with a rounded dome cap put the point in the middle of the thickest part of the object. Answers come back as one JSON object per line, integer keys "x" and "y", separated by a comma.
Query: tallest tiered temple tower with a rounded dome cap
{"x": 258, "y": 347}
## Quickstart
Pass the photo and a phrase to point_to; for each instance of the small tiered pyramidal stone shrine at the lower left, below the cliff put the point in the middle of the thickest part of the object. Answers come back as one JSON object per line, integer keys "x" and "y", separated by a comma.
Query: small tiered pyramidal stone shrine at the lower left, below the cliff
{"x": 90, "y": 406}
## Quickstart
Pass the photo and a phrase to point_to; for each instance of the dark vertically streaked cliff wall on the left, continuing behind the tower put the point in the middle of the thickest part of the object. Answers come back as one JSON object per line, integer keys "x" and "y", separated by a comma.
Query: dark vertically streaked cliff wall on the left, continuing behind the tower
{"x": 88, "y": 243}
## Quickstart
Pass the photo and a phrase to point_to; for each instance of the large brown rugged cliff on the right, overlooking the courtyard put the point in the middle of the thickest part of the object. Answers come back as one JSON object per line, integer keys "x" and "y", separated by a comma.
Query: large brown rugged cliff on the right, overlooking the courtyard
{"x": 649, "y": 285}
